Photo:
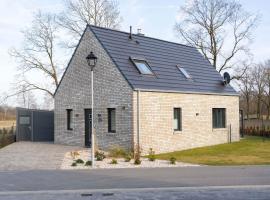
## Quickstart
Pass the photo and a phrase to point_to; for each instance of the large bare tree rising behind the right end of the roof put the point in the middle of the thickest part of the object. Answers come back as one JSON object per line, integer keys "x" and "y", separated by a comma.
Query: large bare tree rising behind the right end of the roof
{"x": 210, "y": 24}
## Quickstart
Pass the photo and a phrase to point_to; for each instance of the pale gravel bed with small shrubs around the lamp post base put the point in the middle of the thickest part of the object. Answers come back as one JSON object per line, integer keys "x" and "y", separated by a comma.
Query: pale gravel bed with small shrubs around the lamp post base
{"x": 85, "y": 155}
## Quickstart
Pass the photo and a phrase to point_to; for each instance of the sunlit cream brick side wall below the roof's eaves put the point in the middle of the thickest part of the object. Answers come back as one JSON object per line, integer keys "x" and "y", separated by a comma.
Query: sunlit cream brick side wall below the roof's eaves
{"x": 156, "y": 120}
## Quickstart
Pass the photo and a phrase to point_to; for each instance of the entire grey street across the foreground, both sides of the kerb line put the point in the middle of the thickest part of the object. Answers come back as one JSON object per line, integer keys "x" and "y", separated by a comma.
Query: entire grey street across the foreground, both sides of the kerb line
{"x": 246, "y": 182}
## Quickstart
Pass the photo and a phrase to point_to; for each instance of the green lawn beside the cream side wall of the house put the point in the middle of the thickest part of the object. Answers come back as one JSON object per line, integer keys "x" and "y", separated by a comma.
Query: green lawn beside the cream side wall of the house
{"x": 249, "y": 151}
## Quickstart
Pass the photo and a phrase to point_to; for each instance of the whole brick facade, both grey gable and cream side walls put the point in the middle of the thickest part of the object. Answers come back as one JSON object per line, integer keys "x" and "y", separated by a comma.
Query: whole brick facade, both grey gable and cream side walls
{"x": 156, "y": 108}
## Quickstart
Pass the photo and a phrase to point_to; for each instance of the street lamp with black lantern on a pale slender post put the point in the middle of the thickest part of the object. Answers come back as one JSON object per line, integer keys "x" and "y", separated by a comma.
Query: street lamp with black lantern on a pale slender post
{"x": 91, "y": 61}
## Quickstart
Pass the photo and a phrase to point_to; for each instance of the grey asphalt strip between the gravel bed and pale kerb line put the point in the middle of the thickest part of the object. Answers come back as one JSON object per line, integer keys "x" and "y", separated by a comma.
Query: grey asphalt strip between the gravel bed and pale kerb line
{"x": 133, "y": 178}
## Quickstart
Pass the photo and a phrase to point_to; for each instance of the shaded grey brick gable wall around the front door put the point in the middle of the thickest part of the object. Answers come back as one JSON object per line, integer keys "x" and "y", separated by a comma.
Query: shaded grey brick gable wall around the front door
{"x": 111, "y": 91}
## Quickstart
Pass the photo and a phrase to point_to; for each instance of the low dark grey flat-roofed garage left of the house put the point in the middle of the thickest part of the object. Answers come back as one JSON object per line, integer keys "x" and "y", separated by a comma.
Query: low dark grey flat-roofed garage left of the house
{"x": 34, "y": 125}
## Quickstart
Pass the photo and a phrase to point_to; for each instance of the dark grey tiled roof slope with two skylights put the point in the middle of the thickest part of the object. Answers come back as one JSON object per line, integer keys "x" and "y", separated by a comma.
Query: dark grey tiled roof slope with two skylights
{"x": 162, "y": 56}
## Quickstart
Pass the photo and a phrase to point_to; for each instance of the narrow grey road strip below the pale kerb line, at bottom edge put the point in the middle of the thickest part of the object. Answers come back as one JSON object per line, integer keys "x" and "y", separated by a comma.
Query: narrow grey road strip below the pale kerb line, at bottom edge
{"x": 201, "y": 193}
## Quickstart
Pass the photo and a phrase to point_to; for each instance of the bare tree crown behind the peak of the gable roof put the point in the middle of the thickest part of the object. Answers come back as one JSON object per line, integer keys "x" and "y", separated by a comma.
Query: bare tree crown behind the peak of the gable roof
{"x": 78, "y": 13}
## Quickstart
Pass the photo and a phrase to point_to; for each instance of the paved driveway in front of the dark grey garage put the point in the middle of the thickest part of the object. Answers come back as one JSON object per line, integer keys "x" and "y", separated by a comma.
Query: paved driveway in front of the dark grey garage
{"x": 33, "y": 155}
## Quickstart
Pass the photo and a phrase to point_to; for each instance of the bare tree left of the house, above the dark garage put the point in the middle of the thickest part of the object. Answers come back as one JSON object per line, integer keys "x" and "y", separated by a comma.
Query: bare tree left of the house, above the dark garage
{"x": 37, "y": 57}
